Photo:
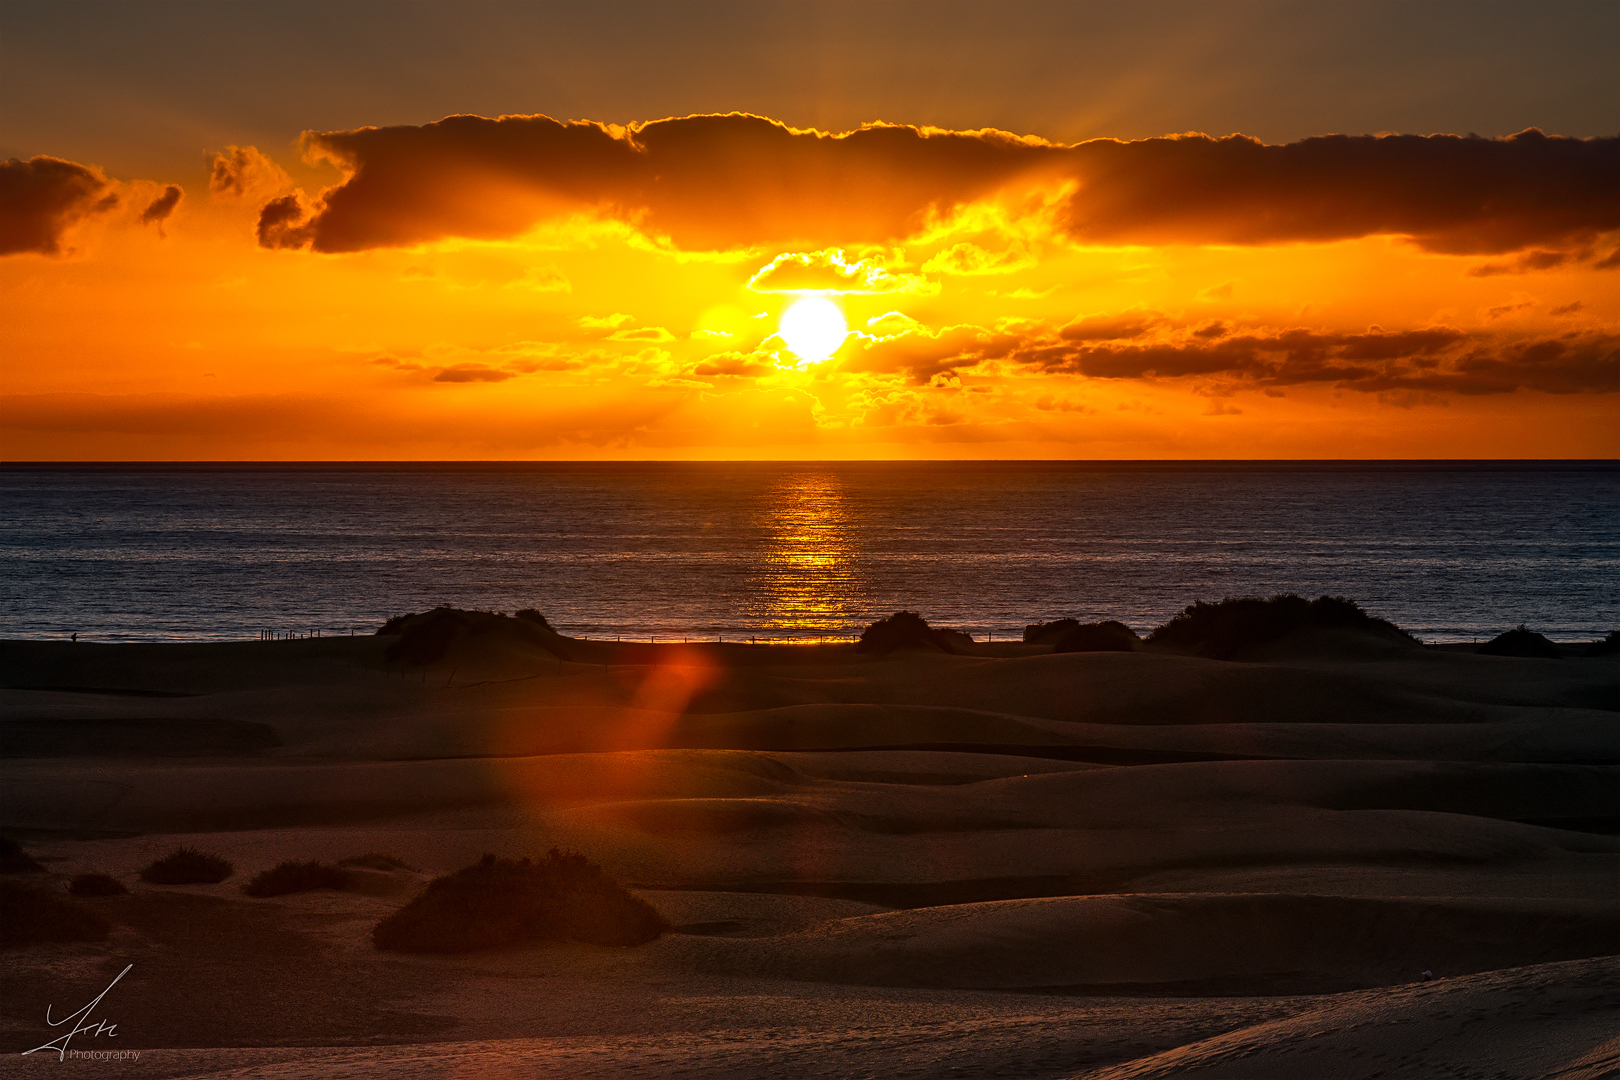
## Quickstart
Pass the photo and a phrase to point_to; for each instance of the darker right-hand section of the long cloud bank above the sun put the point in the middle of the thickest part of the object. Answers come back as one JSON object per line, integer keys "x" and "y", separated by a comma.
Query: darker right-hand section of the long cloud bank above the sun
{"x": 1447, "y": 193}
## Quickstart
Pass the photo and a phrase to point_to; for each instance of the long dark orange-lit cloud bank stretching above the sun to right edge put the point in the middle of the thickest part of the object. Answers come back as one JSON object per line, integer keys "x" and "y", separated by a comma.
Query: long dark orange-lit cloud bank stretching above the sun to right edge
{"x": 738, "y": 181}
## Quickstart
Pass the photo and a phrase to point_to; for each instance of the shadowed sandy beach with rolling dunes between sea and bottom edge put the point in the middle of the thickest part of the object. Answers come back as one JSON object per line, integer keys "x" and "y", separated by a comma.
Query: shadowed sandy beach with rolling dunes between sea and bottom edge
{"x": 1336, "y": 854}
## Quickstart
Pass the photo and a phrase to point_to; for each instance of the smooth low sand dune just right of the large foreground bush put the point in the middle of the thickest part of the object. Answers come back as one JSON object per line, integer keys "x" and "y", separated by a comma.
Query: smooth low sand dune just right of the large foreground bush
{"x": 1188, "y": 943}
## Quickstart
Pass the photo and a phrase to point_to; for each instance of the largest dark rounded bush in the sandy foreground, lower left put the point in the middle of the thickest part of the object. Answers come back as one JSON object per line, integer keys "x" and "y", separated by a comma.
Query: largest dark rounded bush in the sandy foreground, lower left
{"x": 505, "y": 903}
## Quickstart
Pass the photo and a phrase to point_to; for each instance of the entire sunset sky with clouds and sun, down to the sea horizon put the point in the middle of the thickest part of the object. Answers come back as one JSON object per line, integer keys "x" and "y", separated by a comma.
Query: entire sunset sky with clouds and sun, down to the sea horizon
{"x": 492, "y": 231}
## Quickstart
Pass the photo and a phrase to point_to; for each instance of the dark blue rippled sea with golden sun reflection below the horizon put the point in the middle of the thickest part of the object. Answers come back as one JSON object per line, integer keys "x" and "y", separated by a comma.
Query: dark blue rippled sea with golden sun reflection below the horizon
{"x": 662, "y": 551}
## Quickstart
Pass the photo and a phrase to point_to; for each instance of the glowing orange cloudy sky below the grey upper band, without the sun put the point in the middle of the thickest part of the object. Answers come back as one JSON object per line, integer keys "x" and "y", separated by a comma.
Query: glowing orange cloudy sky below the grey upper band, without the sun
{"x": 529, "y": 289}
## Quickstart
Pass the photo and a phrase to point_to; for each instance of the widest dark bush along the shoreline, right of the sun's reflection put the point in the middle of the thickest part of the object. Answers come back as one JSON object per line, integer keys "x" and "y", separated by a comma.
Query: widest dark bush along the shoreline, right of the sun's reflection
{"x": 1221, "y": 631}
